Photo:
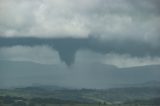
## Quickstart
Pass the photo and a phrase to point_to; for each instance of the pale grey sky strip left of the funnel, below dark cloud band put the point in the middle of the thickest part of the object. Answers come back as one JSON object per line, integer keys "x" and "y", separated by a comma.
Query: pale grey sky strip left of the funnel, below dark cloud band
{"x": 36, "y": 54}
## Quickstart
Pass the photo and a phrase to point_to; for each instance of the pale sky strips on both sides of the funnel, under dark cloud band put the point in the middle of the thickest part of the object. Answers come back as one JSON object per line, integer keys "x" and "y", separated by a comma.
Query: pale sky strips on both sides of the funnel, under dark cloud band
{"x": 46, "y": 55}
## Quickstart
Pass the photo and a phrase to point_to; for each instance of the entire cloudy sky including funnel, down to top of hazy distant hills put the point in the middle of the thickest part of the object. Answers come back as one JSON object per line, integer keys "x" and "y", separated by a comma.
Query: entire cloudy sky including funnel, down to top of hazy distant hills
{"x": 69, "y": 33}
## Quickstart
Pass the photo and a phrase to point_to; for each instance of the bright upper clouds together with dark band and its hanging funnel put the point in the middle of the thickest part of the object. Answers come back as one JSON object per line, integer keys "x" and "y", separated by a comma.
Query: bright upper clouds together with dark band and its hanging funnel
{"x": 102, "y": 26}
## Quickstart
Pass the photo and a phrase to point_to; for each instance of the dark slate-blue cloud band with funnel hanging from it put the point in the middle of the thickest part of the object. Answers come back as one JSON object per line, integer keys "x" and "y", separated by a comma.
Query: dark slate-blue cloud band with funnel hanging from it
{"x": 67, "y": 47}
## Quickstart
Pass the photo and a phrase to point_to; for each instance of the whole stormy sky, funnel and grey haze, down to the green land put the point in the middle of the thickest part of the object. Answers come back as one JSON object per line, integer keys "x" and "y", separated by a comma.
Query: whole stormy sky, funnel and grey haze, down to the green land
{"x": 79, "y": 43}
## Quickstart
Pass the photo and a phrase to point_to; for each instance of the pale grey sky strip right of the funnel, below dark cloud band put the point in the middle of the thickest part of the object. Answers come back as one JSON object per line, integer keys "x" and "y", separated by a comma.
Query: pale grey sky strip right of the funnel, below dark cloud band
{"x": 118, "y": 60}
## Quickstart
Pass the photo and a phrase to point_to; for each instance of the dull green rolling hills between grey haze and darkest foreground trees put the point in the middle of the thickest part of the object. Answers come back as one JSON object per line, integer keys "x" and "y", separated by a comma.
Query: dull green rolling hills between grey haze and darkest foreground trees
{"x": 111, "y": 95}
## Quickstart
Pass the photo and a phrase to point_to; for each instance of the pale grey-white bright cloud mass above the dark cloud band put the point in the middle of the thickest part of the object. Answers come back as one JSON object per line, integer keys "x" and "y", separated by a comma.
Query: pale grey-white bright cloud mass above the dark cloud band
{"x": 120, "y": 19}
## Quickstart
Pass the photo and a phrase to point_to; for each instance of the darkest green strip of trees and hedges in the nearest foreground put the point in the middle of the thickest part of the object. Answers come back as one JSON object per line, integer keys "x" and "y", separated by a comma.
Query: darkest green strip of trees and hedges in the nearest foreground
{"x": 20, "y": 101}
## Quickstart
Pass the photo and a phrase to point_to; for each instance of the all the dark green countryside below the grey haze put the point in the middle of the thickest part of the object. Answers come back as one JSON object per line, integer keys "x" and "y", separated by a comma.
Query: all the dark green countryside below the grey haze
{"x": 41, "y": 96}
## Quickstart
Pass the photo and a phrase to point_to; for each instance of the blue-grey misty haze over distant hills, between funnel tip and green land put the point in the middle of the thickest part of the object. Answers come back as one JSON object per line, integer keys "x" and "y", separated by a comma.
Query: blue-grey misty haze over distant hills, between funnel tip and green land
{"x": 79, "y": 76}
